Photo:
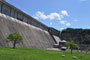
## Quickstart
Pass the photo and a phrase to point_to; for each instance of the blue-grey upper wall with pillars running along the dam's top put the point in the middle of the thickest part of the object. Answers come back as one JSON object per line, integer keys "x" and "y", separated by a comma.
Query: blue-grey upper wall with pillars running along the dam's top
{"x": 12, "y": 11}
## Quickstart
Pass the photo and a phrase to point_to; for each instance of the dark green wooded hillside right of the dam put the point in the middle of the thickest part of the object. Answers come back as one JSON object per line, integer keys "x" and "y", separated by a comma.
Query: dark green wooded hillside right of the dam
{"x": 80, "y": 36}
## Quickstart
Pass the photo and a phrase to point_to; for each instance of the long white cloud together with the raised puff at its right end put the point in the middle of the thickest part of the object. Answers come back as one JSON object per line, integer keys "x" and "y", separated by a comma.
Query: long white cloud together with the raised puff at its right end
{"x": 51, "y": 16}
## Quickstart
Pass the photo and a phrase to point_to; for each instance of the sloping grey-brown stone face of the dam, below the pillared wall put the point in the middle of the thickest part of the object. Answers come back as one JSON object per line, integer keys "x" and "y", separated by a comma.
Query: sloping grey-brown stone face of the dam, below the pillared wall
{"x": 33, "y": 37}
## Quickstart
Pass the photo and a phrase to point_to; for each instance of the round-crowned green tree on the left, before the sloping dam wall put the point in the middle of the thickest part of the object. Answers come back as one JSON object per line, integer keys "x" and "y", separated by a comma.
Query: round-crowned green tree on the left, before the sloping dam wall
{"x": 15, "y": 38}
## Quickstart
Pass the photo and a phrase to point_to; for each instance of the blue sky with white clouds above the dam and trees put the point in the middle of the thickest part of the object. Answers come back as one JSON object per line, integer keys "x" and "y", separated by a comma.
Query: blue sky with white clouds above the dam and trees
{"x": 59, "y": 14}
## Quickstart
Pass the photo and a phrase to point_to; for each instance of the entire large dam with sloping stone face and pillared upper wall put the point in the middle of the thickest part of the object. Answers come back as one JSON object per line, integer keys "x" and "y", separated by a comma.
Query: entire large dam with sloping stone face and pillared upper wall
{"x": 35, "y": 34}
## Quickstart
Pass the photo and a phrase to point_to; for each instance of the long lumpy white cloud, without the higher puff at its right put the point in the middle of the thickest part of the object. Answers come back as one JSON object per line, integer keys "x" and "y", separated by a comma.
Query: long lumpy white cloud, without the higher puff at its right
{"x": 51, "y": 16}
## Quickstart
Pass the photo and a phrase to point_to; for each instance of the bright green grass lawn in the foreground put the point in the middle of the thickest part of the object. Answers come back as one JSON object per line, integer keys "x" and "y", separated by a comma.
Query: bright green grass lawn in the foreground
{"x": 7, "y": 53}
